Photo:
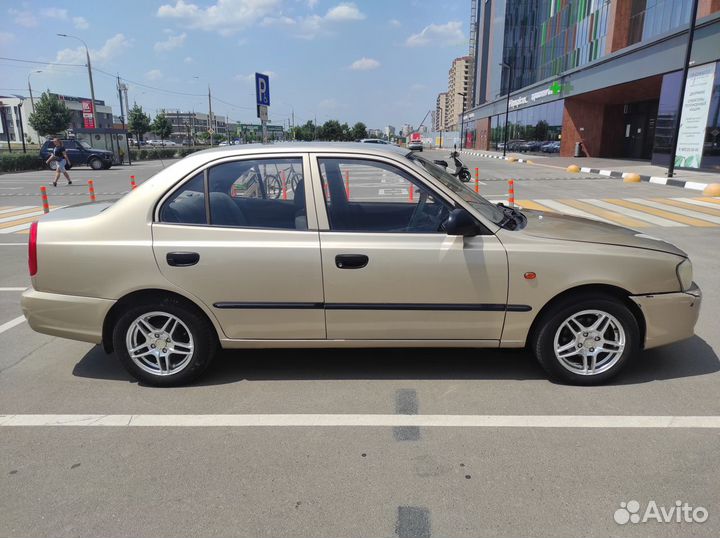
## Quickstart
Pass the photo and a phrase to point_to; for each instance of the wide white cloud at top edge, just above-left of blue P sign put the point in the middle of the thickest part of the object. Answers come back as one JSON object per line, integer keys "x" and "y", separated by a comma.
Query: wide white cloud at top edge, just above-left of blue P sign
{"x": 225, "y": 16}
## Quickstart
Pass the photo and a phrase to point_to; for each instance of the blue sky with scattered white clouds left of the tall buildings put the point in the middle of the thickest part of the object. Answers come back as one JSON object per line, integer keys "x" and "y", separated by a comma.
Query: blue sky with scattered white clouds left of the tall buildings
{"x": 376, "y": 61}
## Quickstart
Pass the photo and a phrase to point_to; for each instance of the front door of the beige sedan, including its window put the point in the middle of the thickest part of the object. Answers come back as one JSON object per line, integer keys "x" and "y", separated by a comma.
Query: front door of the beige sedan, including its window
{"x": 390, "y": 272}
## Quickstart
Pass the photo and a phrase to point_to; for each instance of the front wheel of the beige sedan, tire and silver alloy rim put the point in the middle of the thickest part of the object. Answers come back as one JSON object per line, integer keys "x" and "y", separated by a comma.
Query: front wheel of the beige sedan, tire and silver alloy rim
{"x": 566, "y": 340}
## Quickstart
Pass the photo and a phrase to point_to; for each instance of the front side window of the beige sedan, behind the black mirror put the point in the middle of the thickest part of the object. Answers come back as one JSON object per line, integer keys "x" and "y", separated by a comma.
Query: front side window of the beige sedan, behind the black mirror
{"x": 372, "y": 196}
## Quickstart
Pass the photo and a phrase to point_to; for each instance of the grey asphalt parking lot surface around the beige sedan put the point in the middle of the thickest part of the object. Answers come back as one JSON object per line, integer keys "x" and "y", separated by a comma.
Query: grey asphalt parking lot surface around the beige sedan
{"x": 354, "y": 480}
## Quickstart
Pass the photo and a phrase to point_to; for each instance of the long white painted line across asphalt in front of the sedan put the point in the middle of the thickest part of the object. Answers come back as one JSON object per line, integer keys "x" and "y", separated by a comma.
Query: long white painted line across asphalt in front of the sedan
{"x": 356, "y": 420}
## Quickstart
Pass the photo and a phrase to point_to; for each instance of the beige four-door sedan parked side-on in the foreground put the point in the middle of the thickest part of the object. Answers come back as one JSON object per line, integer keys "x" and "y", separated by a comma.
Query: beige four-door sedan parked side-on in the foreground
{"x": 208, "y": 254}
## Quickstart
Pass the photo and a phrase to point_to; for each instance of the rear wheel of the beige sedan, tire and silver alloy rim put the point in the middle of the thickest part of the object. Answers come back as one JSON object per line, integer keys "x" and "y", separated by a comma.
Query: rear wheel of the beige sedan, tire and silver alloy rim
{"x": 191, "y": 335}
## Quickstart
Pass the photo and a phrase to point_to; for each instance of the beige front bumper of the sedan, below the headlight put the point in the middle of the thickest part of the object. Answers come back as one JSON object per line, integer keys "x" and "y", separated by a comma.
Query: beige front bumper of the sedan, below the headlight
{"x": 669, "y": 317}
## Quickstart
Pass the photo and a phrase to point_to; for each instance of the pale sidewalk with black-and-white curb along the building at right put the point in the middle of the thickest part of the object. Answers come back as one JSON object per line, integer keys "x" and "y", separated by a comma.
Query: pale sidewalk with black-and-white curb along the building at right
{"x": 613, "y": 168}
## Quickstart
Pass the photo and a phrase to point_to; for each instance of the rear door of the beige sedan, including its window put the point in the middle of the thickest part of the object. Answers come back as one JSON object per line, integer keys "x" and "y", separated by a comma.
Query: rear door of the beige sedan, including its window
{"x": 240, "y": 237}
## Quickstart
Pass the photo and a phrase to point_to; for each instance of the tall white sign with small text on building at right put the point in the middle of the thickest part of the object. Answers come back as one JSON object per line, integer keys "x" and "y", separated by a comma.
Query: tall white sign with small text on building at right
{"x": 693, "y": 120}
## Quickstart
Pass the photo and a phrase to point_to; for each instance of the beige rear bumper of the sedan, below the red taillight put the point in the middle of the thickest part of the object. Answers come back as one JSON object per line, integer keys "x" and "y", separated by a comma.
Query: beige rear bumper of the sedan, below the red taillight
{"x": 66, "y": 316}
